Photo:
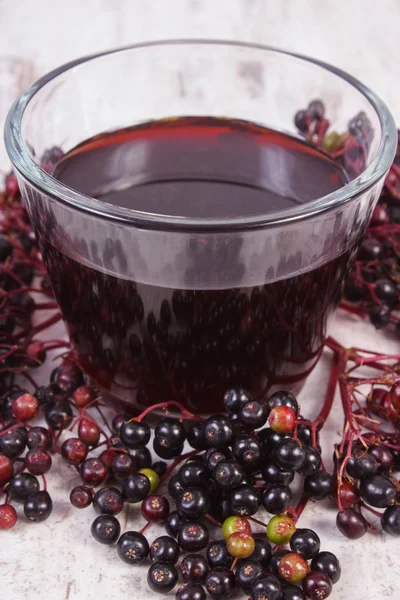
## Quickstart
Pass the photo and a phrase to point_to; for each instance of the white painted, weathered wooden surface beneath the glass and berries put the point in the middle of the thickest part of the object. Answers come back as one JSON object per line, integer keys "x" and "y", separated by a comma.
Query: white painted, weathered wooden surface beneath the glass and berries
{"x": 58, "y": 559}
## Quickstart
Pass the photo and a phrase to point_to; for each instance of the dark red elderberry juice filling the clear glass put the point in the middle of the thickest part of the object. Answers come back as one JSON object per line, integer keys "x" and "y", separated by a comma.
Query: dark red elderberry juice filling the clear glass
{"x": 146, "y": 341}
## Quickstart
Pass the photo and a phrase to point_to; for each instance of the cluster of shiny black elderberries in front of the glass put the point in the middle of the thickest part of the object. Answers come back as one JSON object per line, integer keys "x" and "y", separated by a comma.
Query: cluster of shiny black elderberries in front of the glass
{"x": 238, "y": 466}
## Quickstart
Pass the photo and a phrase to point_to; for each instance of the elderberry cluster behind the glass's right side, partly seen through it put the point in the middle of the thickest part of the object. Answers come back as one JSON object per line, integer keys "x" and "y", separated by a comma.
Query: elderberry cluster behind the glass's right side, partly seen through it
{"x": 372, "y": 289}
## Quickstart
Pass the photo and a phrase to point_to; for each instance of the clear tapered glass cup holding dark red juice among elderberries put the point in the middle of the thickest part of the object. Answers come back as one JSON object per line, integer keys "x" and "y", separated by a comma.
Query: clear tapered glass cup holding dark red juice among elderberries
{"x": 162, "y": 307}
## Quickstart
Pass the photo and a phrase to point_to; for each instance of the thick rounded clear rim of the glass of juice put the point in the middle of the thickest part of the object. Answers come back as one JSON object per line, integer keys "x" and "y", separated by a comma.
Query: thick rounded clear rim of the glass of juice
{"x": 23, "y": 162}
